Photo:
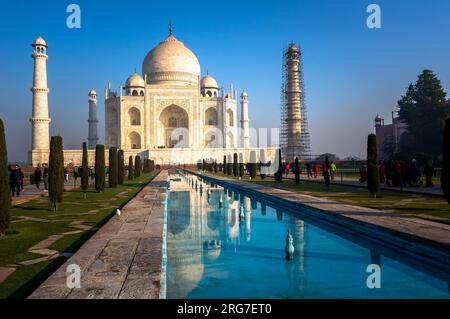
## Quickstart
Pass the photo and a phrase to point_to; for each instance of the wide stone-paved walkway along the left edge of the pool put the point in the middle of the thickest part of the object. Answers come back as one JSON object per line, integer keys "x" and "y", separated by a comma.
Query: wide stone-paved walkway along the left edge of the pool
{"x": 123, "y": 259}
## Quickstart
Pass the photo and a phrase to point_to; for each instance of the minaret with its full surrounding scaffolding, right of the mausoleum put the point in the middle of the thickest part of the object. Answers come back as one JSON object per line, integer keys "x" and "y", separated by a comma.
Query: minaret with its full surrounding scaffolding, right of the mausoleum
{"x": 294, "y": 135}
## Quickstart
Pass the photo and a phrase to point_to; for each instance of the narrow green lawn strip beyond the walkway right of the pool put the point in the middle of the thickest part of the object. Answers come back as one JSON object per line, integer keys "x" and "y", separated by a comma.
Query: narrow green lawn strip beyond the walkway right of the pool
{"x": 427, "y": 207}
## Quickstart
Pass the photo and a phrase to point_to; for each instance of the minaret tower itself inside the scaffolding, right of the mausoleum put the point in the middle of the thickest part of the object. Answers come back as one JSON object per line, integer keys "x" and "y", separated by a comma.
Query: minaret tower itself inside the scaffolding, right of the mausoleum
{"x": 293, "y": 100}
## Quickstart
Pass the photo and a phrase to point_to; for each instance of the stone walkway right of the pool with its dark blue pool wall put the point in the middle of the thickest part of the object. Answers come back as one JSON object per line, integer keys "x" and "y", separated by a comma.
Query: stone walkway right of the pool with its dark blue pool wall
{"x": 415, "y": 236}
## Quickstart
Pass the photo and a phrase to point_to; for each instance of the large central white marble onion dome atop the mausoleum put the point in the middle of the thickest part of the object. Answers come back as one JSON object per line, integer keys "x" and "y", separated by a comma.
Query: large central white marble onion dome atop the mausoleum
{"x": 171, "y": 61}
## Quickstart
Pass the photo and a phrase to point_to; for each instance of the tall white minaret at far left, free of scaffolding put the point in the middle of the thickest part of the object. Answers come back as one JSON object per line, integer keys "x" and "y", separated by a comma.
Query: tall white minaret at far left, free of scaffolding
{"x": 40, "y": 122}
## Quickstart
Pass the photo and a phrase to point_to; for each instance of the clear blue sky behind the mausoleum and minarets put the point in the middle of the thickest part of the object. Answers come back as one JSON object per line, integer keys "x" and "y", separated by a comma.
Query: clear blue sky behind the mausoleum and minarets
{"x": 351, "y": 72}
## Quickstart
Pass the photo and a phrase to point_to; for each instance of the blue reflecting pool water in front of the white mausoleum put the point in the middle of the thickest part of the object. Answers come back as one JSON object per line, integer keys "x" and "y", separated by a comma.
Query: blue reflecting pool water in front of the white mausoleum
{"x": 234, "y": 247}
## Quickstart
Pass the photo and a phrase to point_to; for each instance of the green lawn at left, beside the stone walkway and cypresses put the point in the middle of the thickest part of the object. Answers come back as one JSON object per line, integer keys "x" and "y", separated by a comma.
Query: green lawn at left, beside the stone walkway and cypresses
{"x": 94, "y": 211}
